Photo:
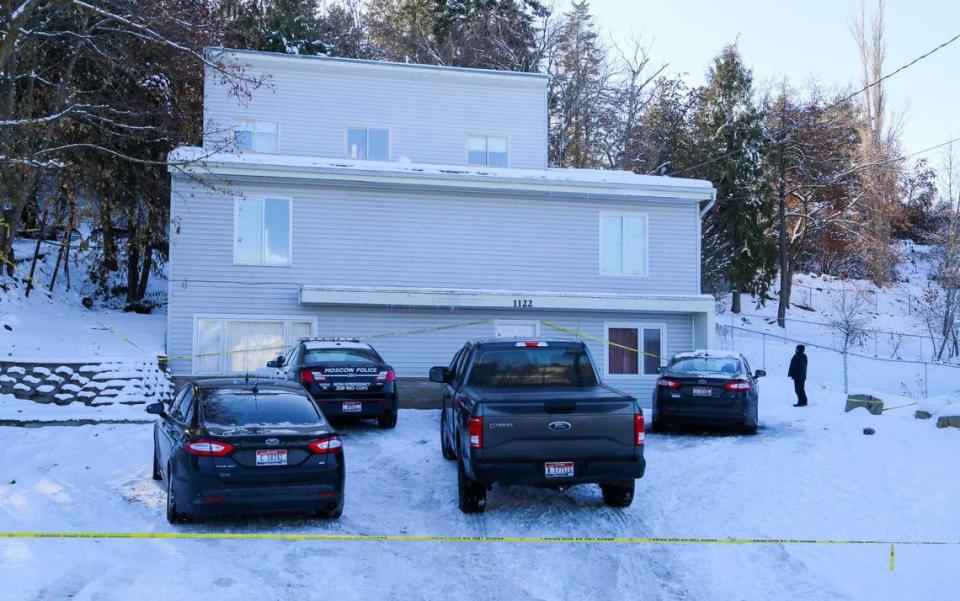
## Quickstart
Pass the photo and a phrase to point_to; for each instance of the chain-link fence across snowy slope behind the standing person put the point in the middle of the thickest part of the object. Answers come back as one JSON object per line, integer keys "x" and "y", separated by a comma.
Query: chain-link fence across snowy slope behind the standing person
{"x": 857, "y": 371}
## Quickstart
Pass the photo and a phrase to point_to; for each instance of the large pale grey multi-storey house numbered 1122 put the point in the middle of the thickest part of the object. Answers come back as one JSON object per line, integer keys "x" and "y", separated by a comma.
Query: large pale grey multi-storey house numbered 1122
{"x": 412, "y": 206}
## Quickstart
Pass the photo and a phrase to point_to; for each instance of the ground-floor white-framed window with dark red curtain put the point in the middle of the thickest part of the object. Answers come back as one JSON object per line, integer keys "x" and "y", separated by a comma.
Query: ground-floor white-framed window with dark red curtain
{"x": 634, "y": 349}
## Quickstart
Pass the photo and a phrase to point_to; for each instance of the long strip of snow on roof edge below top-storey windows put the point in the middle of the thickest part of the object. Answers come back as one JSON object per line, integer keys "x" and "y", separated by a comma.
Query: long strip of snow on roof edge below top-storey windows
{"x": 200, "y": 160}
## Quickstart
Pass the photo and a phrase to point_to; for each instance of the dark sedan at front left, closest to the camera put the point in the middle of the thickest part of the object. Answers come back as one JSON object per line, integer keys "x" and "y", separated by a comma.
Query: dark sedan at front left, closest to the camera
{"x": 242, "y": 446}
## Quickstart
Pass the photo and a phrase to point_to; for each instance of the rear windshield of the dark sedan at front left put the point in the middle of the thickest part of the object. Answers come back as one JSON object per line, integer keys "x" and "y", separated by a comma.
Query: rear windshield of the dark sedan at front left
{"x": 236, "y": 408}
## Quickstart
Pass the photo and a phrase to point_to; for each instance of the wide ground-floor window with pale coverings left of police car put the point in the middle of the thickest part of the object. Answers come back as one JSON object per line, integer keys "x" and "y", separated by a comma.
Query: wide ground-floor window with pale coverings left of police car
{"x": 237, "y": 345}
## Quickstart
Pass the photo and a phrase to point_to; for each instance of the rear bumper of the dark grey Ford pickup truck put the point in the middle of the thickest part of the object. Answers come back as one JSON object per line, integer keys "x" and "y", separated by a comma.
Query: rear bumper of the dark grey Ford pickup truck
{"x": 534, "y": 472}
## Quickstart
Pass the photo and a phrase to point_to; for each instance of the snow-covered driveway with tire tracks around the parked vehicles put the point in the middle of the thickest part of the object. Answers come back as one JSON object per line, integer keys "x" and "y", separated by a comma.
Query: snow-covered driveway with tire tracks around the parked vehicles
{"x": 807, "y": 475}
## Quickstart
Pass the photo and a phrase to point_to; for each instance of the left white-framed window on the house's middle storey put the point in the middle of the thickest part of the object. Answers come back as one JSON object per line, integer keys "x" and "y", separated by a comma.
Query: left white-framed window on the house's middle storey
{"x": 262, "y": 231}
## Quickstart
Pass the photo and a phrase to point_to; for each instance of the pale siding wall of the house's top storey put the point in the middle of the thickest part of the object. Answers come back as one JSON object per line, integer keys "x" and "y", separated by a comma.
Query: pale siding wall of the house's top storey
{"x": 428, "y": 110}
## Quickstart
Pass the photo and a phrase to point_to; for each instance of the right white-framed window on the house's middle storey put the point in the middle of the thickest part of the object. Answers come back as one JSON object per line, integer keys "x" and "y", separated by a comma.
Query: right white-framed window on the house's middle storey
{"x": 624, "y": 244}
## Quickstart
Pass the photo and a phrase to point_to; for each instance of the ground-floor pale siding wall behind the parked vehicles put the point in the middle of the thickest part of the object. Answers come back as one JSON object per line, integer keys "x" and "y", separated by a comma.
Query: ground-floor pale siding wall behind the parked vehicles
{"x": 411, "y": 354}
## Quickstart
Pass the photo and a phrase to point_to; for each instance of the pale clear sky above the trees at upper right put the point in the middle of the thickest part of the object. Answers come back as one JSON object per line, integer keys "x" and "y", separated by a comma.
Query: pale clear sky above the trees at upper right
{"x": 808, "y": 40}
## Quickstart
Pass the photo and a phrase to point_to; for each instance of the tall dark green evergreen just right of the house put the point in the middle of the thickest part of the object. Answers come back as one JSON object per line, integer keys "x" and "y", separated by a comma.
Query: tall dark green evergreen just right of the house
{"x": 730, "y": 125}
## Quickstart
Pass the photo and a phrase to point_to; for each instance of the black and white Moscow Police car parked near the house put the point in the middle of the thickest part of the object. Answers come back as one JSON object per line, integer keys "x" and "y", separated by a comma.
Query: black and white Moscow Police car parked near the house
{"x": 347, "y": 378}
